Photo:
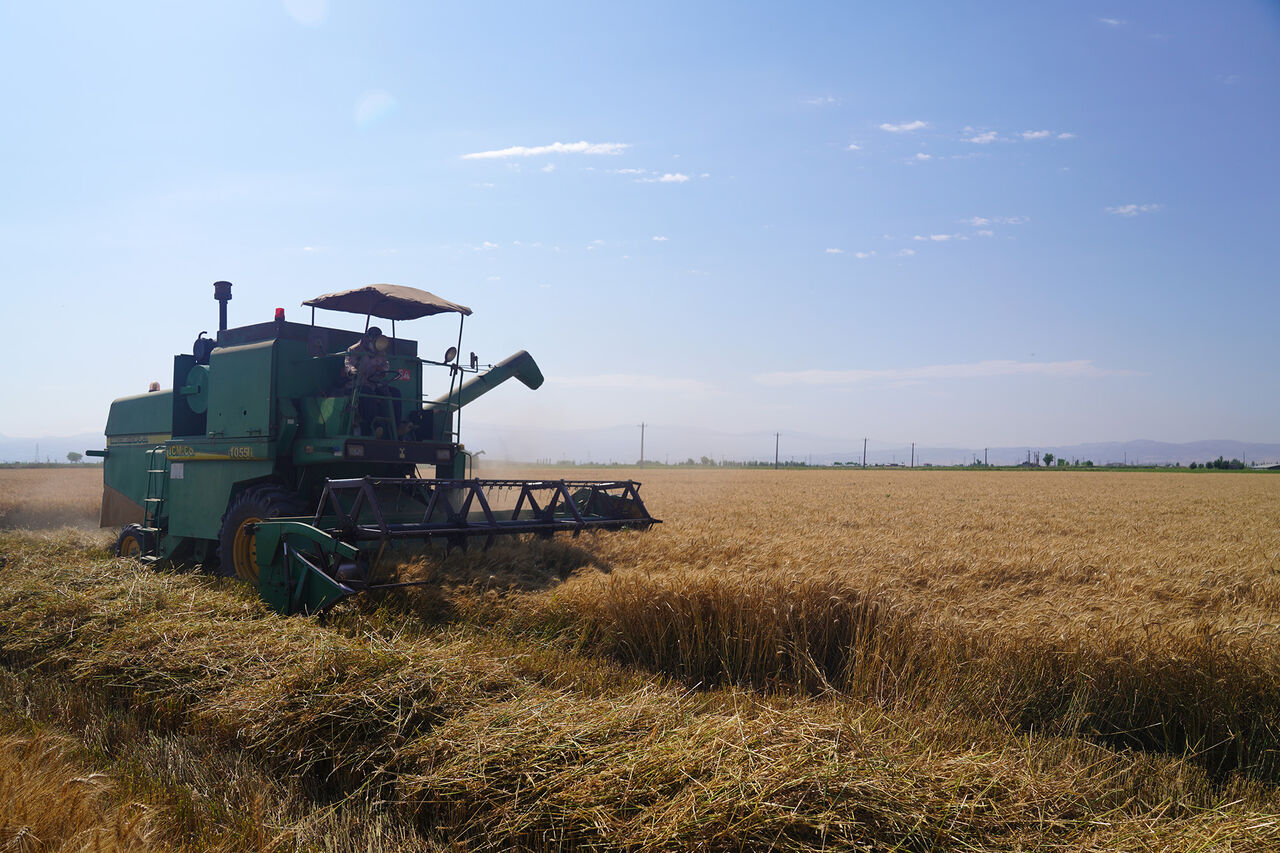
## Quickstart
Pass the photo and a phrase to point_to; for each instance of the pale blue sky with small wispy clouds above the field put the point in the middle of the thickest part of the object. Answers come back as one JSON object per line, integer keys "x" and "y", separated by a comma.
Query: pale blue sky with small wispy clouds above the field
{"x": 961, "y": 225}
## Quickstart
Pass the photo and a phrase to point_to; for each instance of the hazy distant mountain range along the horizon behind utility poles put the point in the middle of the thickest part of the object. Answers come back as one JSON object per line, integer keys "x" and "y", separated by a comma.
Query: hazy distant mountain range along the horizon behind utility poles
{"x": 678, "y": 444}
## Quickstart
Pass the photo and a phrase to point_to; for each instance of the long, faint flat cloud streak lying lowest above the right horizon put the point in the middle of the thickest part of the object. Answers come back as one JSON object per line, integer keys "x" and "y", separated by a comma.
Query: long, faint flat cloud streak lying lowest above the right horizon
{"x": 1085, "y": 370}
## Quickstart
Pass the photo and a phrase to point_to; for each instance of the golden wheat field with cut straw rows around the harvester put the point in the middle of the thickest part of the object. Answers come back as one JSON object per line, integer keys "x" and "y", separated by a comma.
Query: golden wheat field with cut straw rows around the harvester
{"x": 801, "y": 660}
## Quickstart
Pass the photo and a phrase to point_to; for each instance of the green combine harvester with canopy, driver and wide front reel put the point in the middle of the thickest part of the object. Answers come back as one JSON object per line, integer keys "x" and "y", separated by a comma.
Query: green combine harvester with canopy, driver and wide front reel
{"x": 271, "y": 462}
